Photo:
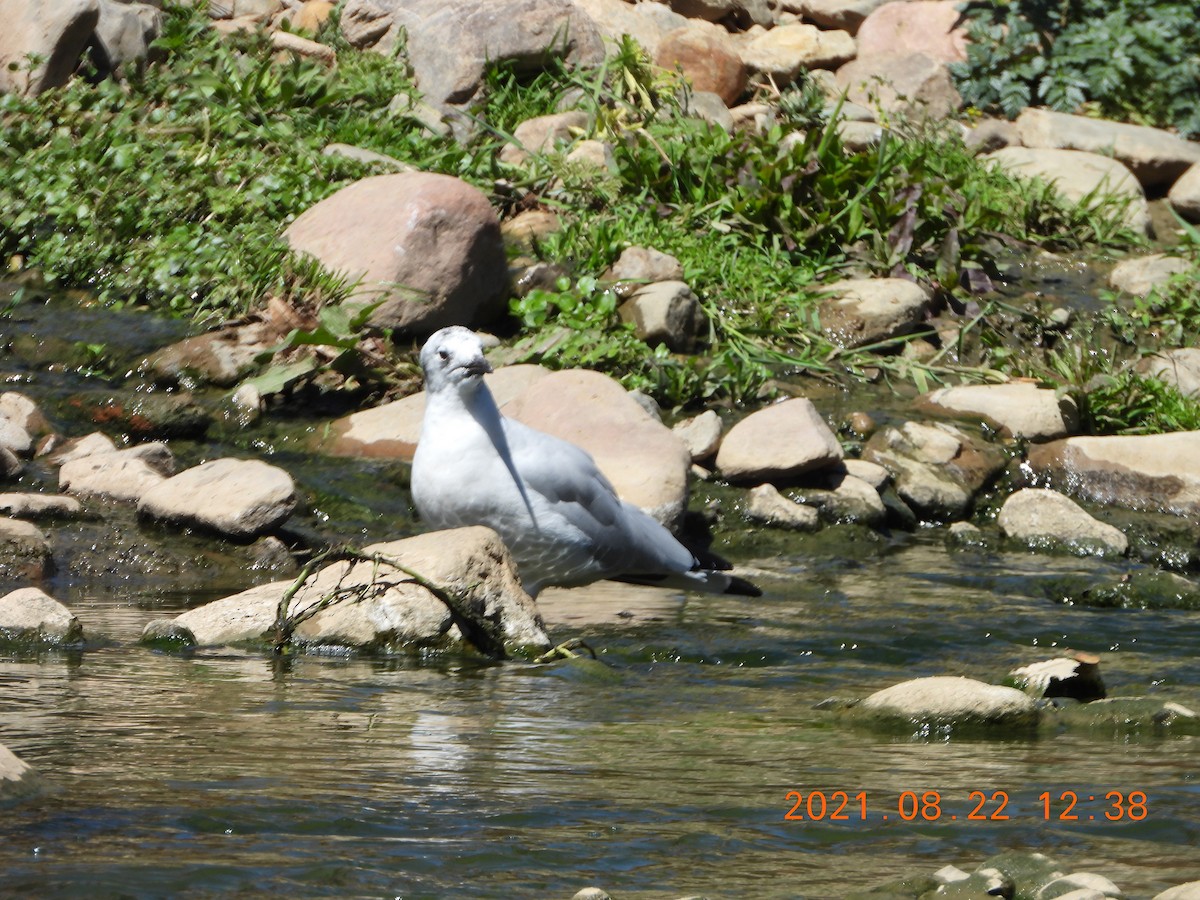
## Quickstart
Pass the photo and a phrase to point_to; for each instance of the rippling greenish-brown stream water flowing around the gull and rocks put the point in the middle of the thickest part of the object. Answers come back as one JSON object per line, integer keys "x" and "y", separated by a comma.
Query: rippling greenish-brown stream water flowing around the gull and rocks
{"x": 661, "y": 771}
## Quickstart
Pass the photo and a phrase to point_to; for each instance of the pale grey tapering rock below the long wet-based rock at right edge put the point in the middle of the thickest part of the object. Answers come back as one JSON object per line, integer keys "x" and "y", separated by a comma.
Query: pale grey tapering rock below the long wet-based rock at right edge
{"x": 1047, "y": 519}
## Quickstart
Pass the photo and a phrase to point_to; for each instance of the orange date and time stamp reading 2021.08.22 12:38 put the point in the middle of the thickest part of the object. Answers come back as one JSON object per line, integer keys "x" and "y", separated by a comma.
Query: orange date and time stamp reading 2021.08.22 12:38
{"x": 977, "y": 807}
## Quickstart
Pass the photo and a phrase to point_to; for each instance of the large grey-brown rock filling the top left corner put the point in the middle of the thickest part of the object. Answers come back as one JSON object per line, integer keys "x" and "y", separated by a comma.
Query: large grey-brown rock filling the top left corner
{"x": 55, "y": 34}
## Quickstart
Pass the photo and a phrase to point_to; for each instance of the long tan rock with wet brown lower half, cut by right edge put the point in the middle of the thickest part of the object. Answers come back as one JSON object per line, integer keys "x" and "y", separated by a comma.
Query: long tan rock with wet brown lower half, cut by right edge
{"x": 1142, "y": 472}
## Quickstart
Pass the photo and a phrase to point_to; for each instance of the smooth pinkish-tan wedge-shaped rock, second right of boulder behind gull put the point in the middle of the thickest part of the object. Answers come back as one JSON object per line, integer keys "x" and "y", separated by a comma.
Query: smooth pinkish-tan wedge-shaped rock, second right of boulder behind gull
{"x": 778, "y": 443}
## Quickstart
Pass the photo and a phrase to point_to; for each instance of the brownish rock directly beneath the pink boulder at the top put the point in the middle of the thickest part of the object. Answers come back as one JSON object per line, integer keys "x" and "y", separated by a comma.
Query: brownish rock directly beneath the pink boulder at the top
{"x": 913, "y": 86}
